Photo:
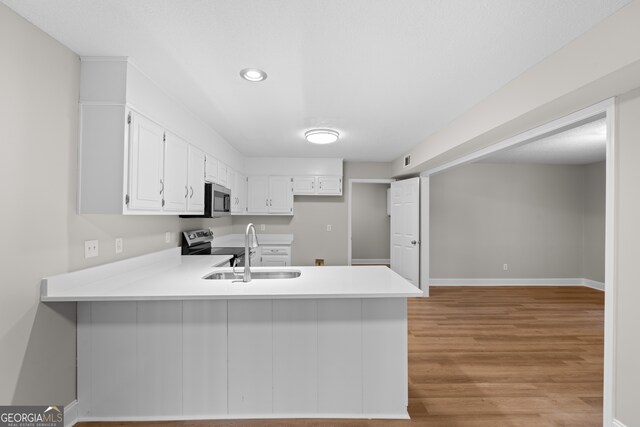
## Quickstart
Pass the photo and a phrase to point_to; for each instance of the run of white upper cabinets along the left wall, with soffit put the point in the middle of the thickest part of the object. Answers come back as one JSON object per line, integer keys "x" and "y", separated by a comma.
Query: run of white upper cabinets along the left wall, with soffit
{"x": 131, "y": 160}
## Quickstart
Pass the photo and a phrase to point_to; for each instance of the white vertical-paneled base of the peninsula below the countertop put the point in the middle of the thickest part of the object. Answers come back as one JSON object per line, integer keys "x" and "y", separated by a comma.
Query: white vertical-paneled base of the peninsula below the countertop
{"x": 272, "y": 358}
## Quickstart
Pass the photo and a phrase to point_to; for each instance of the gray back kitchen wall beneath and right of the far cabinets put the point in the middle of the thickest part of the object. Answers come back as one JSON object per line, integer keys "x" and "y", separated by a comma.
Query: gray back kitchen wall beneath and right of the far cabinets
{"x": 312, "y": 214}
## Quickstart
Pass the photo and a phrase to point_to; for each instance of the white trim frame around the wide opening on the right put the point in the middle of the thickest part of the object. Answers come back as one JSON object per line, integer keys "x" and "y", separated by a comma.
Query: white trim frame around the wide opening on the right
{"x": 604, "y": 109}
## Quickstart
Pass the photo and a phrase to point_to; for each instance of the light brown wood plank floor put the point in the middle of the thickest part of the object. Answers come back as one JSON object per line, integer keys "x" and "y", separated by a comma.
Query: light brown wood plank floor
{"x": 492, "y": 357}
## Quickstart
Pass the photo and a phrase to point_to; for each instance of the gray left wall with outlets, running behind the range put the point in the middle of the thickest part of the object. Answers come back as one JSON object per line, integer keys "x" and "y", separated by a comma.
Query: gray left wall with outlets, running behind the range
{"x": 42, "y": 234}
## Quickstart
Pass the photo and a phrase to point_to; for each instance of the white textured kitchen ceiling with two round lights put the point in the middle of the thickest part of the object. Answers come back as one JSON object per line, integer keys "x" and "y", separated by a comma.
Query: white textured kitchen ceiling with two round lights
{"x": 385, "y": 73}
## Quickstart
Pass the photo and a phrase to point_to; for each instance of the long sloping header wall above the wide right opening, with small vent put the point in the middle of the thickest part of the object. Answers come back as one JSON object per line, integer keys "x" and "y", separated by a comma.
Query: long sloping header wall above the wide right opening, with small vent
{"x": 601, "y": 63}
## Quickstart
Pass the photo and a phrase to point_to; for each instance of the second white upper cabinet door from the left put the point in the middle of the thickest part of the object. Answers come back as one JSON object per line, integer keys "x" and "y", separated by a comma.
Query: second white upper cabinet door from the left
{"x": 176, "y": 167}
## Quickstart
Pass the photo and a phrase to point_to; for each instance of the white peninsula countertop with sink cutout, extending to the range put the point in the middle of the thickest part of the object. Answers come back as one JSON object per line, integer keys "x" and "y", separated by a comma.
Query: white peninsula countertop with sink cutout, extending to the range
{"x": 166, "y": 275}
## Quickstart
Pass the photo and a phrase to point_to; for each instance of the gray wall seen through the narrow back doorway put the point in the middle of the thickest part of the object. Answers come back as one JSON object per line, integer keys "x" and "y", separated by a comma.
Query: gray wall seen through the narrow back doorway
{"x": 371, "y": 226}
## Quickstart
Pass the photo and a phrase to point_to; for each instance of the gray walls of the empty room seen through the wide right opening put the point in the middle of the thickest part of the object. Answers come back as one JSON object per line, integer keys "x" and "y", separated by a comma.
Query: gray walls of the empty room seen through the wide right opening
{"x": 544, "y": 221}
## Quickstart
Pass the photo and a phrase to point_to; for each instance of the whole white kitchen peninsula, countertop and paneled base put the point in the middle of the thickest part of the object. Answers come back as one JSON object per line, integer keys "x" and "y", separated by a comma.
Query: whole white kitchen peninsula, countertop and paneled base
{"x": 156, "y": 340}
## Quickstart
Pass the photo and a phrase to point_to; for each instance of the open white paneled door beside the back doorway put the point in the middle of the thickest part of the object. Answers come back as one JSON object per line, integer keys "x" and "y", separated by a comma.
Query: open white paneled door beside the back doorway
{"x": 405, "y": 229}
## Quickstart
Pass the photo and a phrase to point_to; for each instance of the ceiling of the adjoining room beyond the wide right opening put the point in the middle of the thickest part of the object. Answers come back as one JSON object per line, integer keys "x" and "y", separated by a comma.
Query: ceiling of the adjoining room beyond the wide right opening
{"x": 577, "y": 146}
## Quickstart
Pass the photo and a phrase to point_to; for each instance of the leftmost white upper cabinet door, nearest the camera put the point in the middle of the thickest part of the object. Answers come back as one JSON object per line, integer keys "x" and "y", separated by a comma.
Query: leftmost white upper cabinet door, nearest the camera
{"x": 146, "y": 149}
